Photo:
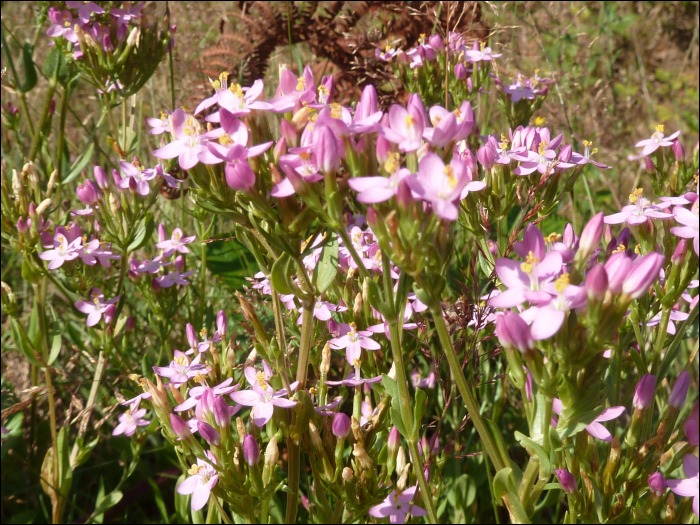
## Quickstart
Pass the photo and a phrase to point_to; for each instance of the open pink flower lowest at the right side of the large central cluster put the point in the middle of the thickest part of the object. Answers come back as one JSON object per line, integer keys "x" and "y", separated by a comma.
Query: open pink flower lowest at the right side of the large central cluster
{"x": 440, "y": 185}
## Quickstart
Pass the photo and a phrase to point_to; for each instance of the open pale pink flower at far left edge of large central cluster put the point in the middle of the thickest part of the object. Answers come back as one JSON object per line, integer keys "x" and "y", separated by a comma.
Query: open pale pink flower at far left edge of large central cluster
{"x": 189, "y": 141}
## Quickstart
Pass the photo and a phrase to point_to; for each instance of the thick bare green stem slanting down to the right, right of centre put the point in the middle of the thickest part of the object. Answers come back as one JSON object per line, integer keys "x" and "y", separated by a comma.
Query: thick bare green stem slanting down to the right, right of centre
{"x": 464, "y": 389}
